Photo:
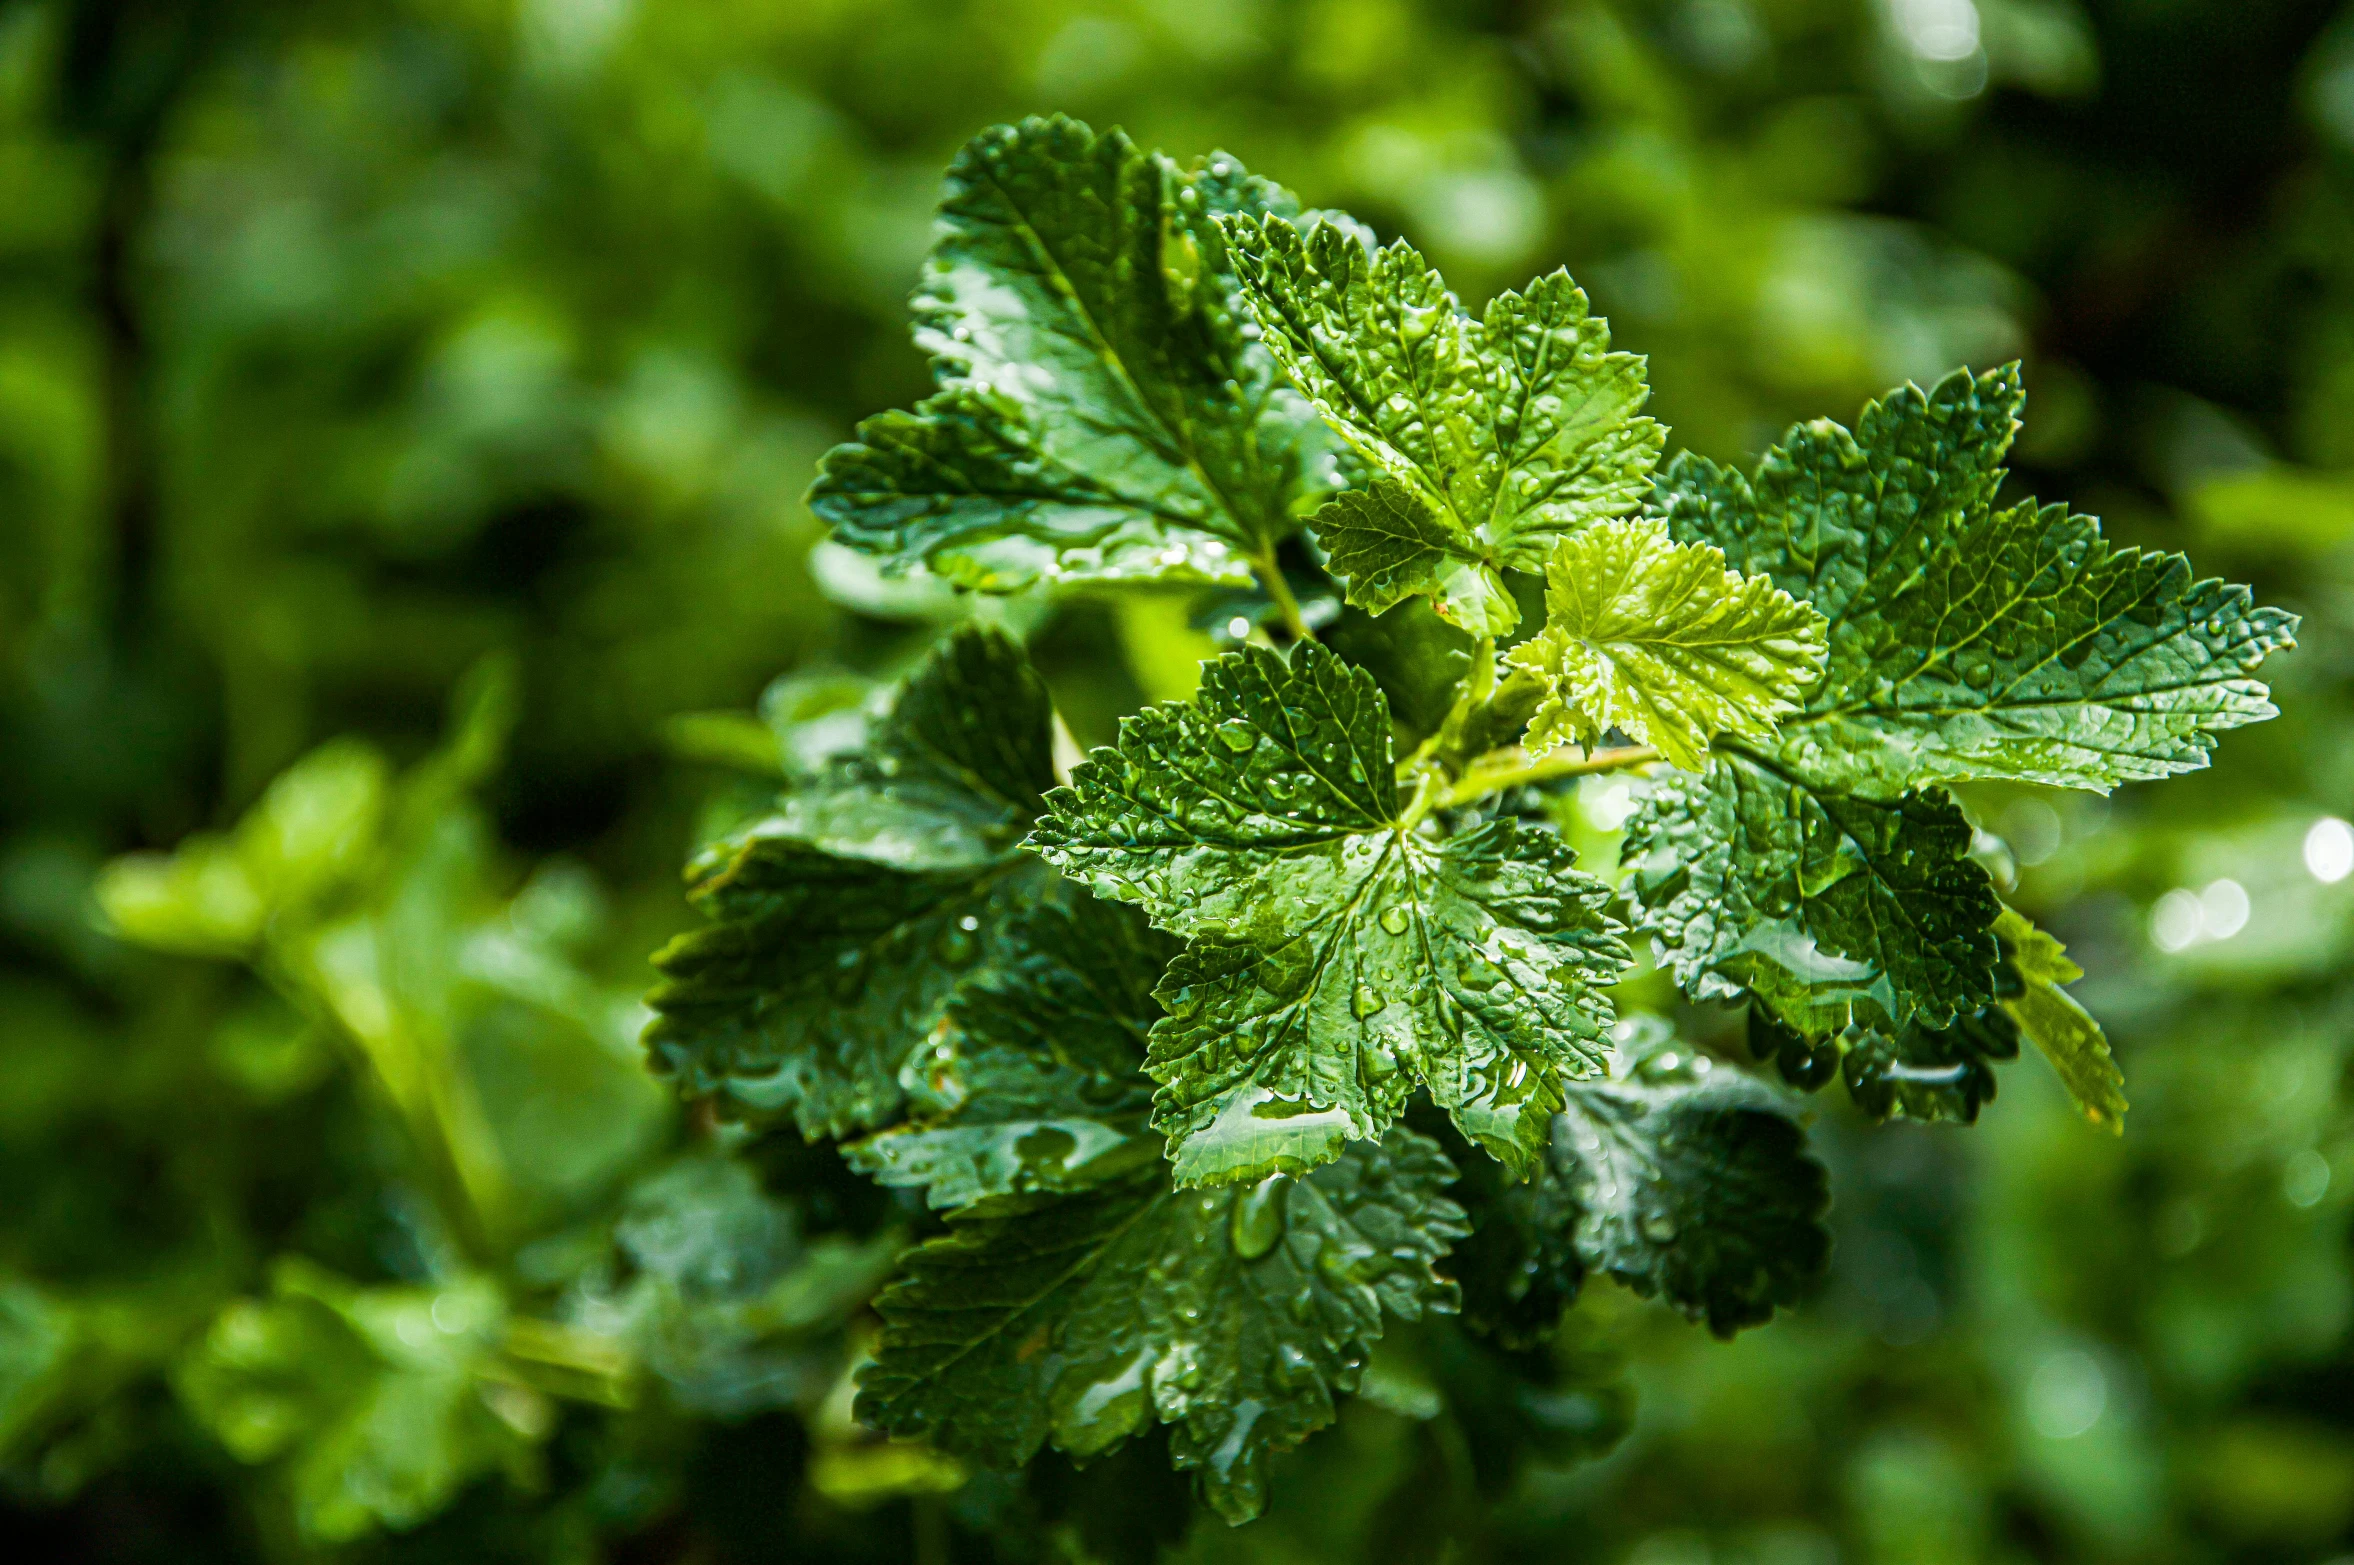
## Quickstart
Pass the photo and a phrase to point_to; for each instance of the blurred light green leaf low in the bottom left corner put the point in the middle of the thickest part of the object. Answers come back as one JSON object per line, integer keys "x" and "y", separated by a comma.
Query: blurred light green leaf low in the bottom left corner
{"x": 371, "y": 1399}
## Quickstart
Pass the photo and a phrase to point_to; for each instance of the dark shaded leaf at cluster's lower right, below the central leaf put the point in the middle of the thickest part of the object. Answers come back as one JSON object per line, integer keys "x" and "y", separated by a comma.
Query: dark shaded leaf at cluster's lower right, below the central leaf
{"x": 1675, "y": 1176}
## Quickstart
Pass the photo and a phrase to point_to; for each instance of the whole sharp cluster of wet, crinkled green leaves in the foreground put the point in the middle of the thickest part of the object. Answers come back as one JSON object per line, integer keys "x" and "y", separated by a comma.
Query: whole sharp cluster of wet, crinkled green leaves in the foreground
{"x": 1152, "y": 1039}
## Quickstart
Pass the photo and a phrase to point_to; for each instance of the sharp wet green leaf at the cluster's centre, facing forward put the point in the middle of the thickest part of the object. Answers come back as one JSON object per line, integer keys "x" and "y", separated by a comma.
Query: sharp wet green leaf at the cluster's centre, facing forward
{"x": 1338, "y": 957}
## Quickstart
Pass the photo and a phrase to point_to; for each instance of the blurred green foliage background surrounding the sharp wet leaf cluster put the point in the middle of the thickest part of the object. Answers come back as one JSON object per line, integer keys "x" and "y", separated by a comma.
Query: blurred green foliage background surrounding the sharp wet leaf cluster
{"x": 366, "y": 364}
